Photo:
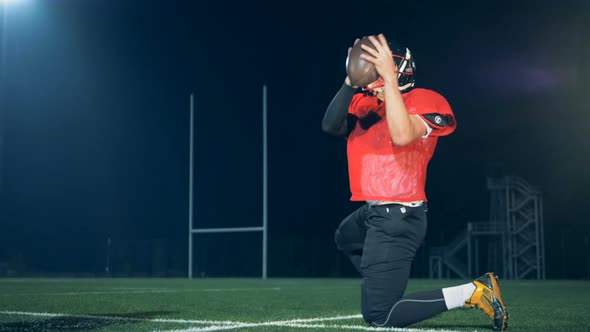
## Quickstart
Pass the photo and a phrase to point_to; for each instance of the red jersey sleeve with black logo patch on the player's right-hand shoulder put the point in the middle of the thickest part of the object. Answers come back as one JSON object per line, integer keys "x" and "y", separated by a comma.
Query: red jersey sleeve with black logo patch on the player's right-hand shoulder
{"x": 433, "y": 109}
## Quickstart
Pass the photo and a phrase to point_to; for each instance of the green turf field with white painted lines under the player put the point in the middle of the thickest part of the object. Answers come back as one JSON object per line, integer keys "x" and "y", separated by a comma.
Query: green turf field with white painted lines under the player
{"x": 258, "y": 305}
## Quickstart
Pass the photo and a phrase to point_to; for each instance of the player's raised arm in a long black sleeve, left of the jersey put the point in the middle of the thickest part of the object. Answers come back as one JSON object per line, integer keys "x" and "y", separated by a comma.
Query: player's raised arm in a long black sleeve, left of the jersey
{"x": 336, "y": 119}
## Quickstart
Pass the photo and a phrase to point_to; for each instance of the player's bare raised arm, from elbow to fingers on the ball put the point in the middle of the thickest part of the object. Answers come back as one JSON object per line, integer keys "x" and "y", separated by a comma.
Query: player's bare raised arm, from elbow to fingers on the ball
{"x": 403, "y": 127}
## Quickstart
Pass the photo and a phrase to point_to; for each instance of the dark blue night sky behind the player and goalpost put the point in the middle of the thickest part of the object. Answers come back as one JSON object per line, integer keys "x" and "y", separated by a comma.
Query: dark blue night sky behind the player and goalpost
{"x": 95, "y": 119}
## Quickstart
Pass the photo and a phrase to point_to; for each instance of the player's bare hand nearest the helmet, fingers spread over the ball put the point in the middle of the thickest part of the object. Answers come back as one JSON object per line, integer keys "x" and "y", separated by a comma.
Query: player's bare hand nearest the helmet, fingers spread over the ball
{"x": 381, "y": 58}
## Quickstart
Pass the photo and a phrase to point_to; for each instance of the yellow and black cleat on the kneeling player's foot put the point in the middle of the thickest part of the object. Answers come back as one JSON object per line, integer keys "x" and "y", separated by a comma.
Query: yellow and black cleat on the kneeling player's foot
{"x": 487, "y": 298}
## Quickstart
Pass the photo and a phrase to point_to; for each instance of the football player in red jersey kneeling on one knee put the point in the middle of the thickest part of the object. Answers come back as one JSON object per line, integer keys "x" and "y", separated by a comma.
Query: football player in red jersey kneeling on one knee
{"x": 392, "y": 129}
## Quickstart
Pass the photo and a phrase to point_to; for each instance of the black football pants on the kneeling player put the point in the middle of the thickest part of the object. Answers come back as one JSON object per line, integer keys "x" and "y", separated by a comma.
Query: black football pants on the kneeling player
{"x": 381, "y": 242}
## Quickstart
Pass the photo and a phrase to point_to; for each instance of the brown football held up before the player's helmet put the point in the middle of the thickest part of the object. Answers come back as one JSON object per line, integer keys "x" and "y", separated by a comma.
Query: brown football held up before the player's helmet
{"x": 359, "y": 71}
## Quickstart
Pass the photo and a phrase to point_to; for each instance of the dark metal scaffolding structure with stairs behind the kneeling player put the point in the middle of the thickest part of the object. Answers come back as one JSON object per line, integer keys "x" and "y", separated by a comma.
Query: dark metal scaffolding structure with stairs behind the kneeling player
{"x": 513, "y": 237}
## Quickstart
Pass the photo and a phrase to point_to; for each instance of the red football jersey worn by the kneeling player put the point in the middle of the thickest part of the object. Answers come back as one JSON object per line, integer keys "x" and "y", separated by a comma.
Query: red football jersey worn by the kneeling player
{"x": 380, "y": 170}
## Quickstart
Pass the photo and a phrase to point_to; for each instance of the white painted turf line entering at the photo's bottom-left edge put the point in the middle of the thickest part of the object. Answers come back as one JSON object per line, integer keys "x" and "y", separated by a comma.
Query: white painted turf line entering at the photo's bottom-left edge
{"x": 118, "y": 318}
